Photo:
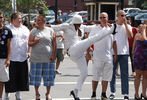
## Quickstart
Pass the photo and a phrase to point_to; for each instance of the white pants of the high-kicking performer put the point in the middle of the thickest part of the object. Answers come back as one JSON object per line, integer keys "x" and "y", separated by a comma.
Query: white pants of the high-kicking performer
{"x": 76, "y": 53}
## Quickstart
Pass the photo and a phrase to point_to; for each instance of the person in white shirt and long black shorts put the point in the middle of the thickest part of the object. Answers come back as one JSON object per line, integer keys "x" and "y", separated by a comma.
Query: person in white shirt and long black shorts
{"x": 18, "y": 70}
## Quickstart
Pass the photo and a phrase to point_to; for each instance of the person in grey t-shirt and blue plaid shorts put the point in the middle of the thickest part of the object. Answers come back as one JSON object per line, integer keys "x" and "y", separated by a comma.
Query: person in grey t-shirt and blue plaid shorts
{"x": 43, "y": 47}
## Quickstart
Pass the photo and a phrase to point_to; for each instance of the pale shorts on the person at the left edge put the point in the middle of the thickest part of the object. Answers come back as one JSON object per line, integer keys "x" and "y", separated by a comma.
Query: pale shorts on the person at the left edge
{"x": 4, "y": 71}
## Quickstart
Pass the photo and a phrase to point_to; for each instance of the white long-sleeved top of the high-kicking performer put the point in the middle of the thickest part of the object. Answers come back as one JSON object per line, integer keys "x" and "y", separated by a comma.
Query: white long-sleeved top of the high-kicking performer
{"x": 70, "y": 34}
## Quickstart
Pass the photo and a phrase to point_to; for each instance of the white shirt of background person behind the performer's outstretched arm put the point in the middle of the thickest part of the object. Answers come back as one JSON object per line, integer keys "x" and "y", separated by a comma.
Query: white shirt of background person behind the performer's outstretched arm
{"x": 59, "y": 40}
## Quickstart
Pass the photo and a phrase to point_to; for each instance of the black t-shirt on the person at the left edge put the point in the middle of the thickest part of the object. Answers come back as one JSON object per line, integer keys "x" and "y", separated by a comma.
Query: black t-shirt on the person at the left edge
{"x": 5, "y": 34}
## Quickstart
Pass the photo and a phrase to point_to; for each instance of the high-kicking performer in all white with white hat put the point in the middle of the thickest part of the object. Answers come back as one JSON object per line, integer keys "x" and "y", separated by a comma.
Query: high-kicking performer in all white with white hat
{"x": 76, "y": 47}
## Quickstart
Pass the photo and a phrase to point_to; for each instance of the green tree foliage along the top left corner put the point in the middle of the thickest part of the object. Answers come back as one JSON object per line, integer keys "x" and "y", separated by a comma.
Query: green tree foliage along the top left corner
{"x": 23, "y": 5}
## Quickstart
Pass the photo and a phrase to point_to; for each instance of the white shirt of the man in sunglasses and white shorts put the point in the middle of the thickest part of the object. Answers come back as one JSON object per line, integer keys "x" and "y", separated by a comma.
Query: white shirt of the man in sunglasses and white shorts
{"x": 103, "y": 48}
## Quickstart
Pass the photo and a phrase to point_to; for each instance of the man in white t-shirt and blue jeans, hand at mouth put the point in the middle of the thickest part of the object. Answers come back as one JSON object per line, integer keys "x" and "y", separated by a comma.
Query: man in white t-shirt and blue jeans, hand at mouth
{"x": 123, "y": 32}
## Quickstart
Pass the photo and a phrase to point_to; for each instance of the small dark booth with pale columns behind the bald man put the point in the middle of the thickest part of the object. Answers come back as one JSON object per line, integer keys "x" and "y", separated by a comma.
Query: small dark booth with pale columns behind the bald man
{"x": 95, "y": 7}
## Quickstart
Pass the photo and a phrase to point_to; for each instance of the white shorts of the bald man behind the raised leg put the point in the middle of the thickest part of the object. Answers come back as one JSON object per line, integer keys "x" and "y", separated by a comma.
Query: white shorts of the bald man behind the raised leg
{"x": 102, "y": 70}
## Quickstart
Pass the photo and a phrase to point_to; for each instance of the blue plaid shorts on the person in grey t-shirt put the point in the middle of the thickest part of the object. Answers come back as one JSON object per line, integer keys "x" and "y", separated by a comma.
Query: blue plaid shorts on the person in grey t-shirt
{"x": 45, "y": 70}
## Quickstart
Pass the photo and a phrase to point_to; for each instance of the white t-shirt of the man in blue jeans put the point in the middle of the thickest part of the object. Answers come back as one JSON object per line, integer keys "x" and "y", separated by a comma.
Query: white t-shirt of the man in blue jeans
{"x": 122, "y": 40}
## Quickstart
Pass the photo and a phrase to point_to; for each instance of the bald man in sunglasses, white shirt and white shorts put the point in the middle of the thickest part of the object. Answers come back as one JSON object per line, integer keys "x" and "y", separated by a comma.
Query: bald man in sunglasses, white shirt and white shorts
{"x": 102, "y": 57}
